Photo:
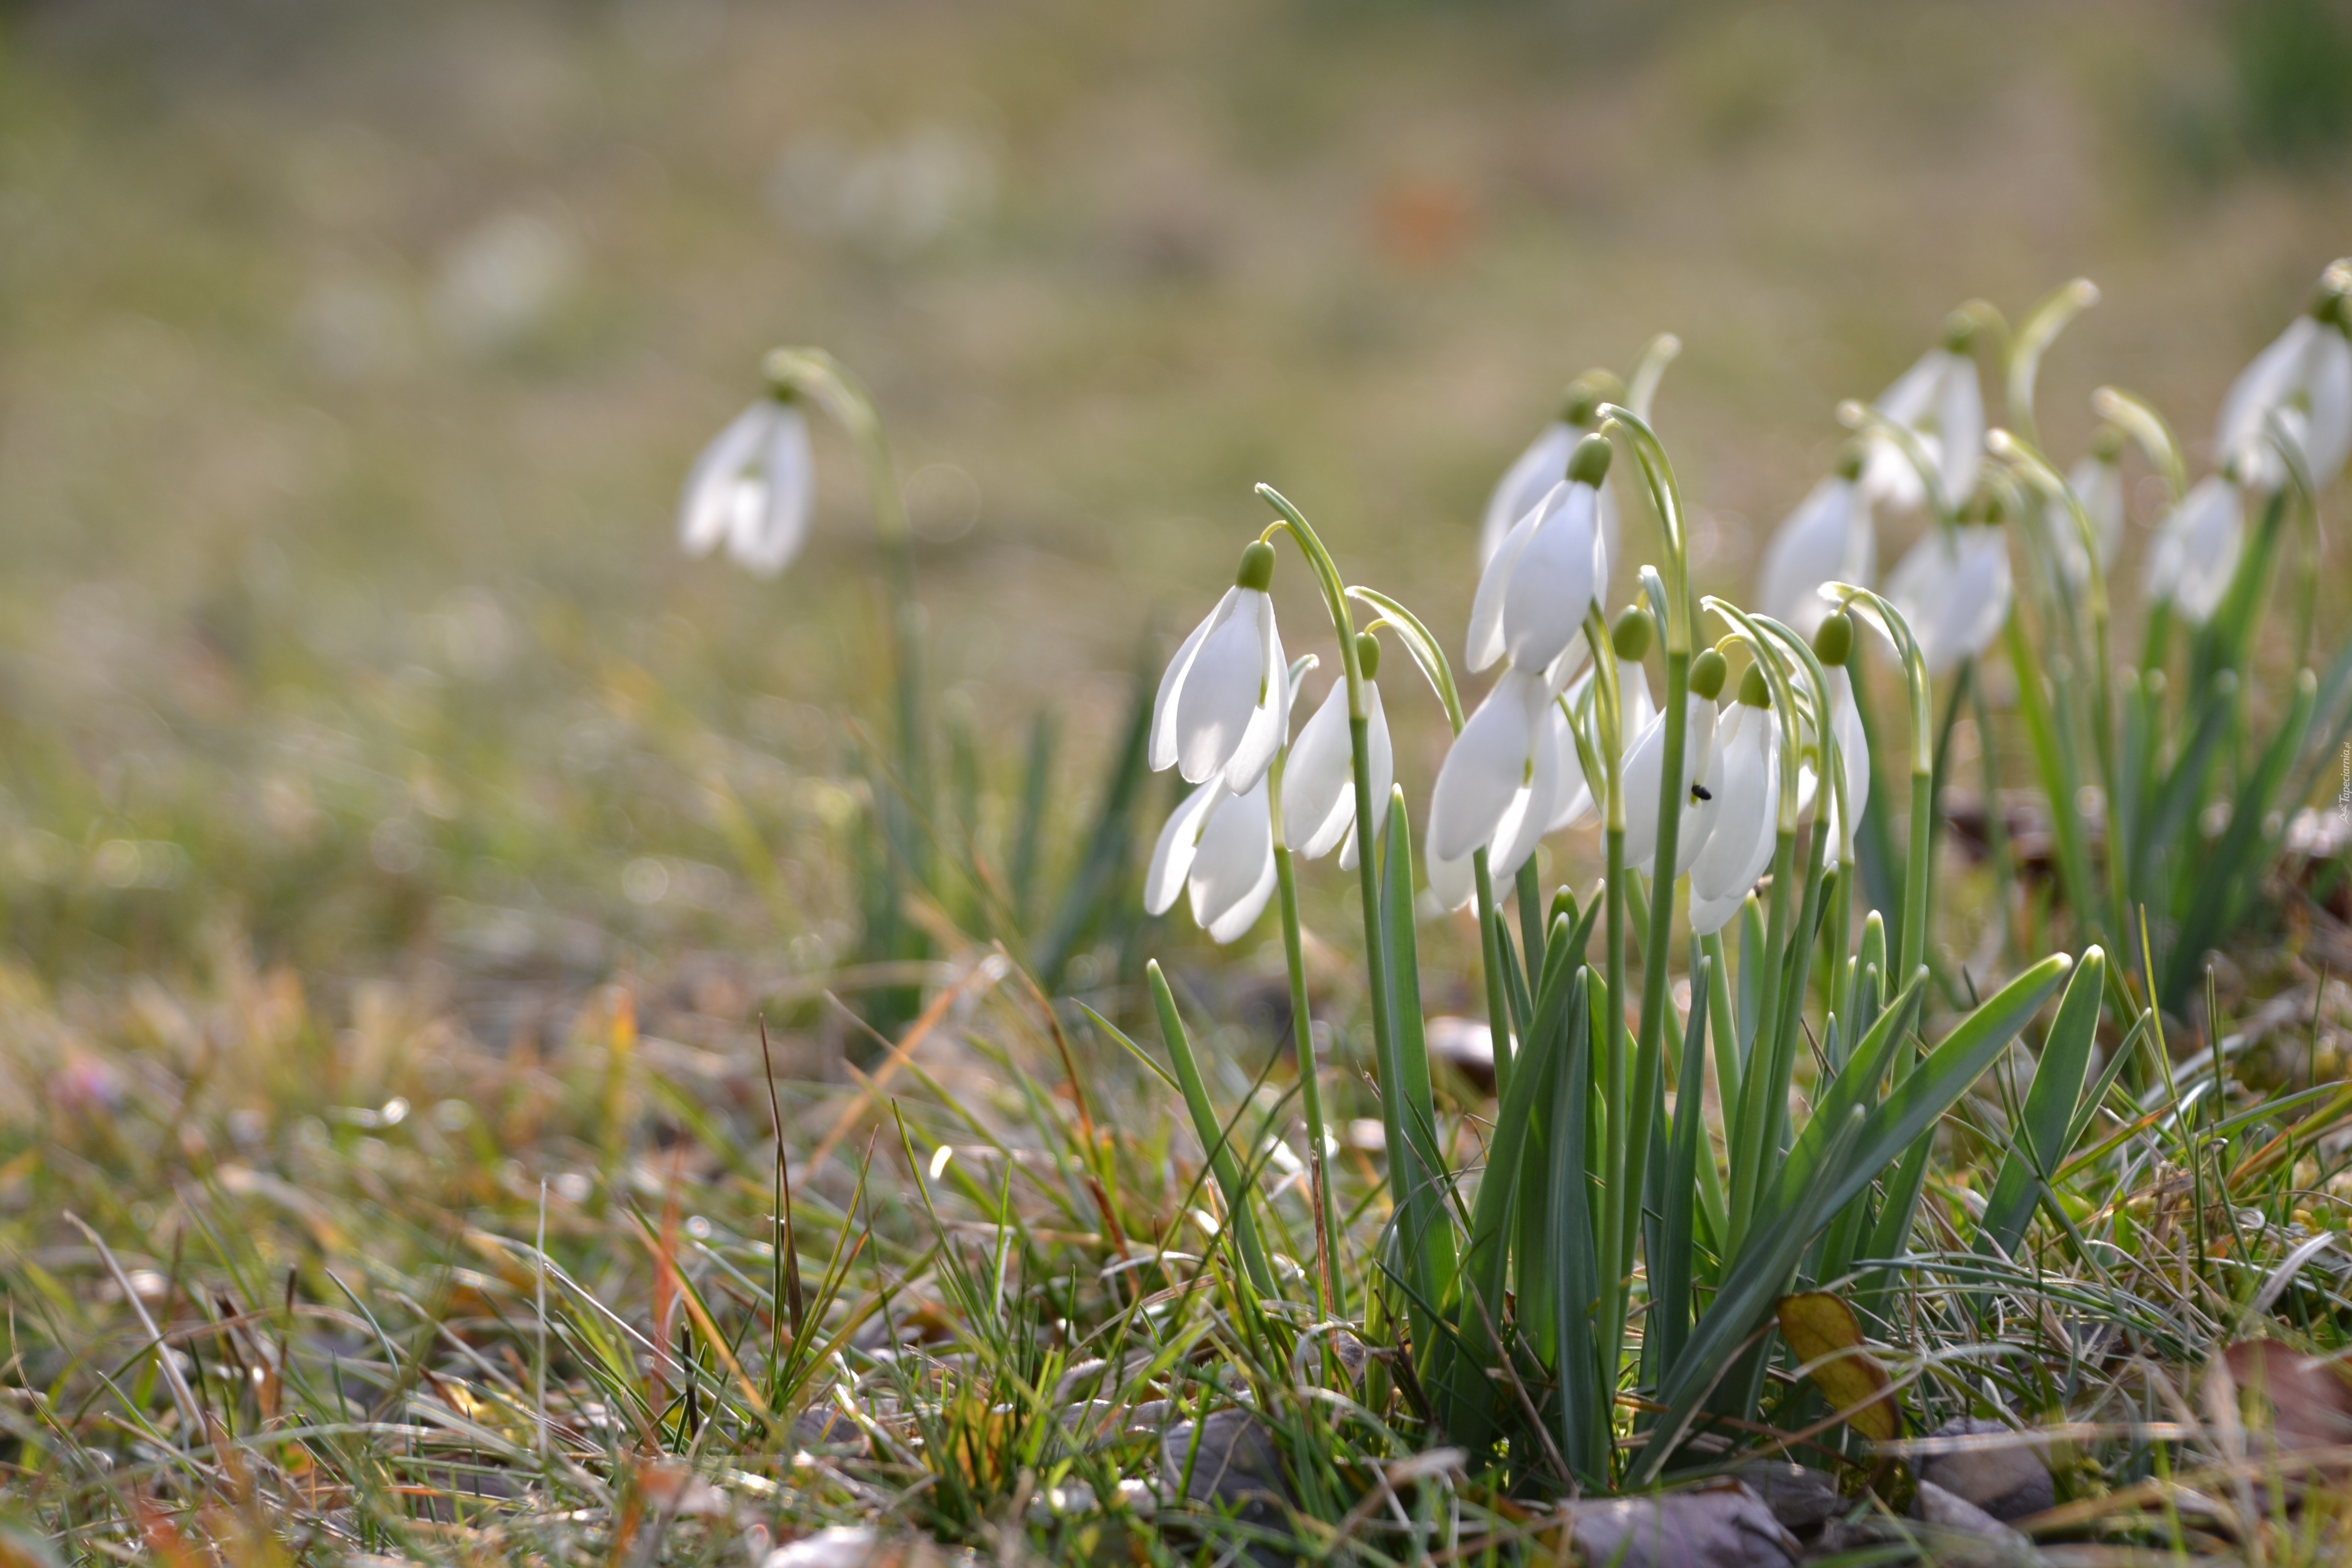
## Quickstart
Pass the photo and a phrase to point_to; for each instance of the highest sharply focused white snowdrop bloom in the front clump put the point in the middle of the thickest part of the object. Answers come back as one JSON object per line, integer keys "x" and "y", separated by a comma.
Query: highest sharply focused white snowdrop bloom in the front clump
{"x": 1549, "y": 570}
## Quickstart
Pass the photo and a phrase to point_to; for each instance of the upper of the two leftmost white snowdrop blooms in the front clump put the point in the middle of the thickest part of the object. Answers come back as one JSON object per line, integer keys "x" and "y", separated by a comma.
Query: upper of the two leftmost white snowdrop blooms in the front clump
{"x": 1227, "y": 697}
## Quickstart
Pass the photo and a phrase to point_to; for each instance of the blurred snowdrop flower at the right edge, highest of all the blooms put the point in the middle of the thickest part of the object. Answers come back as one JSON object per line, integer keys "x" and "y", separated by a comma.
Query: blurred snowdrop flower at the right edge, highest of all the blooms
{"x": 2306, "y": 380}
